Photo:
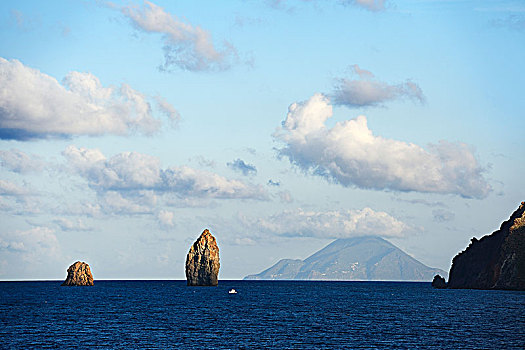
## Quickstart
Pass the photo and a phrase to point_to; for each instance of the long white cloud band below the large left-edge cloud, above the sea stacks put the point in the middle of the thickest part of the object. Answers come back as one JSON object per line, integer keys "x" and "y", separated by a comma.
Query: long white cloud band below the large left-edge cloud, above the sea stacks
{"x": 132, "y": 173}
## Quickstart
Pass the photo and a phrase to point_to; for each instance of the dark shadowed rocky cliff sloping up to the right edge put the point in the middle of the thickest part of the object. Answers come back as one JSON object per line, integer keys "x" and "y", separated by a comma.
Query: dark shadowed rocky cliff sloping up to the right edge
{"x": 496, "y": 261}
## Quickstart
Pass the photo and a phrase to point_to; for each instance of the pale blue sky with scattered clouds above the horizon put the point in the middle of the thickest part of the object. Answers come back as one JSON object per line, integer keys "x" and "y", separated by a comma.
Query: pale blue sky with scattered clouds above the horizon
{"x": 127, "y": 128}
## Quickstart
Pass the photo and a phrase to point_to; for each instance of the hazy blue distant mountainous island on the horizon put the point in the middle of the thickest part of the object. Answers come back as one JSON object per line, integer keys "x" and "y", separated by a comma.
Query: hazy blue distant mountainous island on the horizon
{"x": 352, "y": 259}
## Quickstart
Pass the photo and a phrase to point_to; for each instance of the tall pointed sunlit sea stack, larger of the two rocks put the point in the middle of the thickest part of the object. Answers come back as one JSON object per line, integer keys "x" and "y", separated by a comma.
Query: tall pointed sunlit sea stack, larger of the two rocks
{"x": 202, "y": 261}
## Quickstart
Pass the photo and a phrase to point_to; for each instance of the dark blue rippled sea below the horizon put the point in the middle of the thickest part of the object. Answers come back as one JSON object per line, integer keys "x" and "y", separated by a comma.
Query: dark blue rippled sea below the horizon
{"x": 261, "y": 315}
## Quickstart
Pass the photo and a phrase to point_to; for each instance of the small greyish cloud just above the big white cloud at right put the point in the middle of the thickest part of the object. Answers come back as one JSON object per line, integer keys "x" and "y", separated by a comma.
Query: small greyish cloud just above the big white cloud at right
{"x": 365, "y": 90}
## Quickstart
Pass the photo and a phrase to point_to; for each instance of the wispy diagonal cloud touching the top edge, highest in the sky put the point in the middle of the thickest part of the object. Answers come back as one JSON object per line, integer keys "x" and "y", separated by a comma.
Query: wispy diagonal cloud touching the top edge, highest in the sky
{"x": 186, "y": 46}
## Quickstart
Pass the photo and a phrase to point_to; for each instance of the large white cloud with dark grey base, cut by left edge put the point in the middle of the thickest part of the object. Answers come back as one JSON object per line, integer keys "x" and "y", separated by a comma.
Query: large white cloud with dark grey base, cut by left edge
{"x": 36, "y": 105}
